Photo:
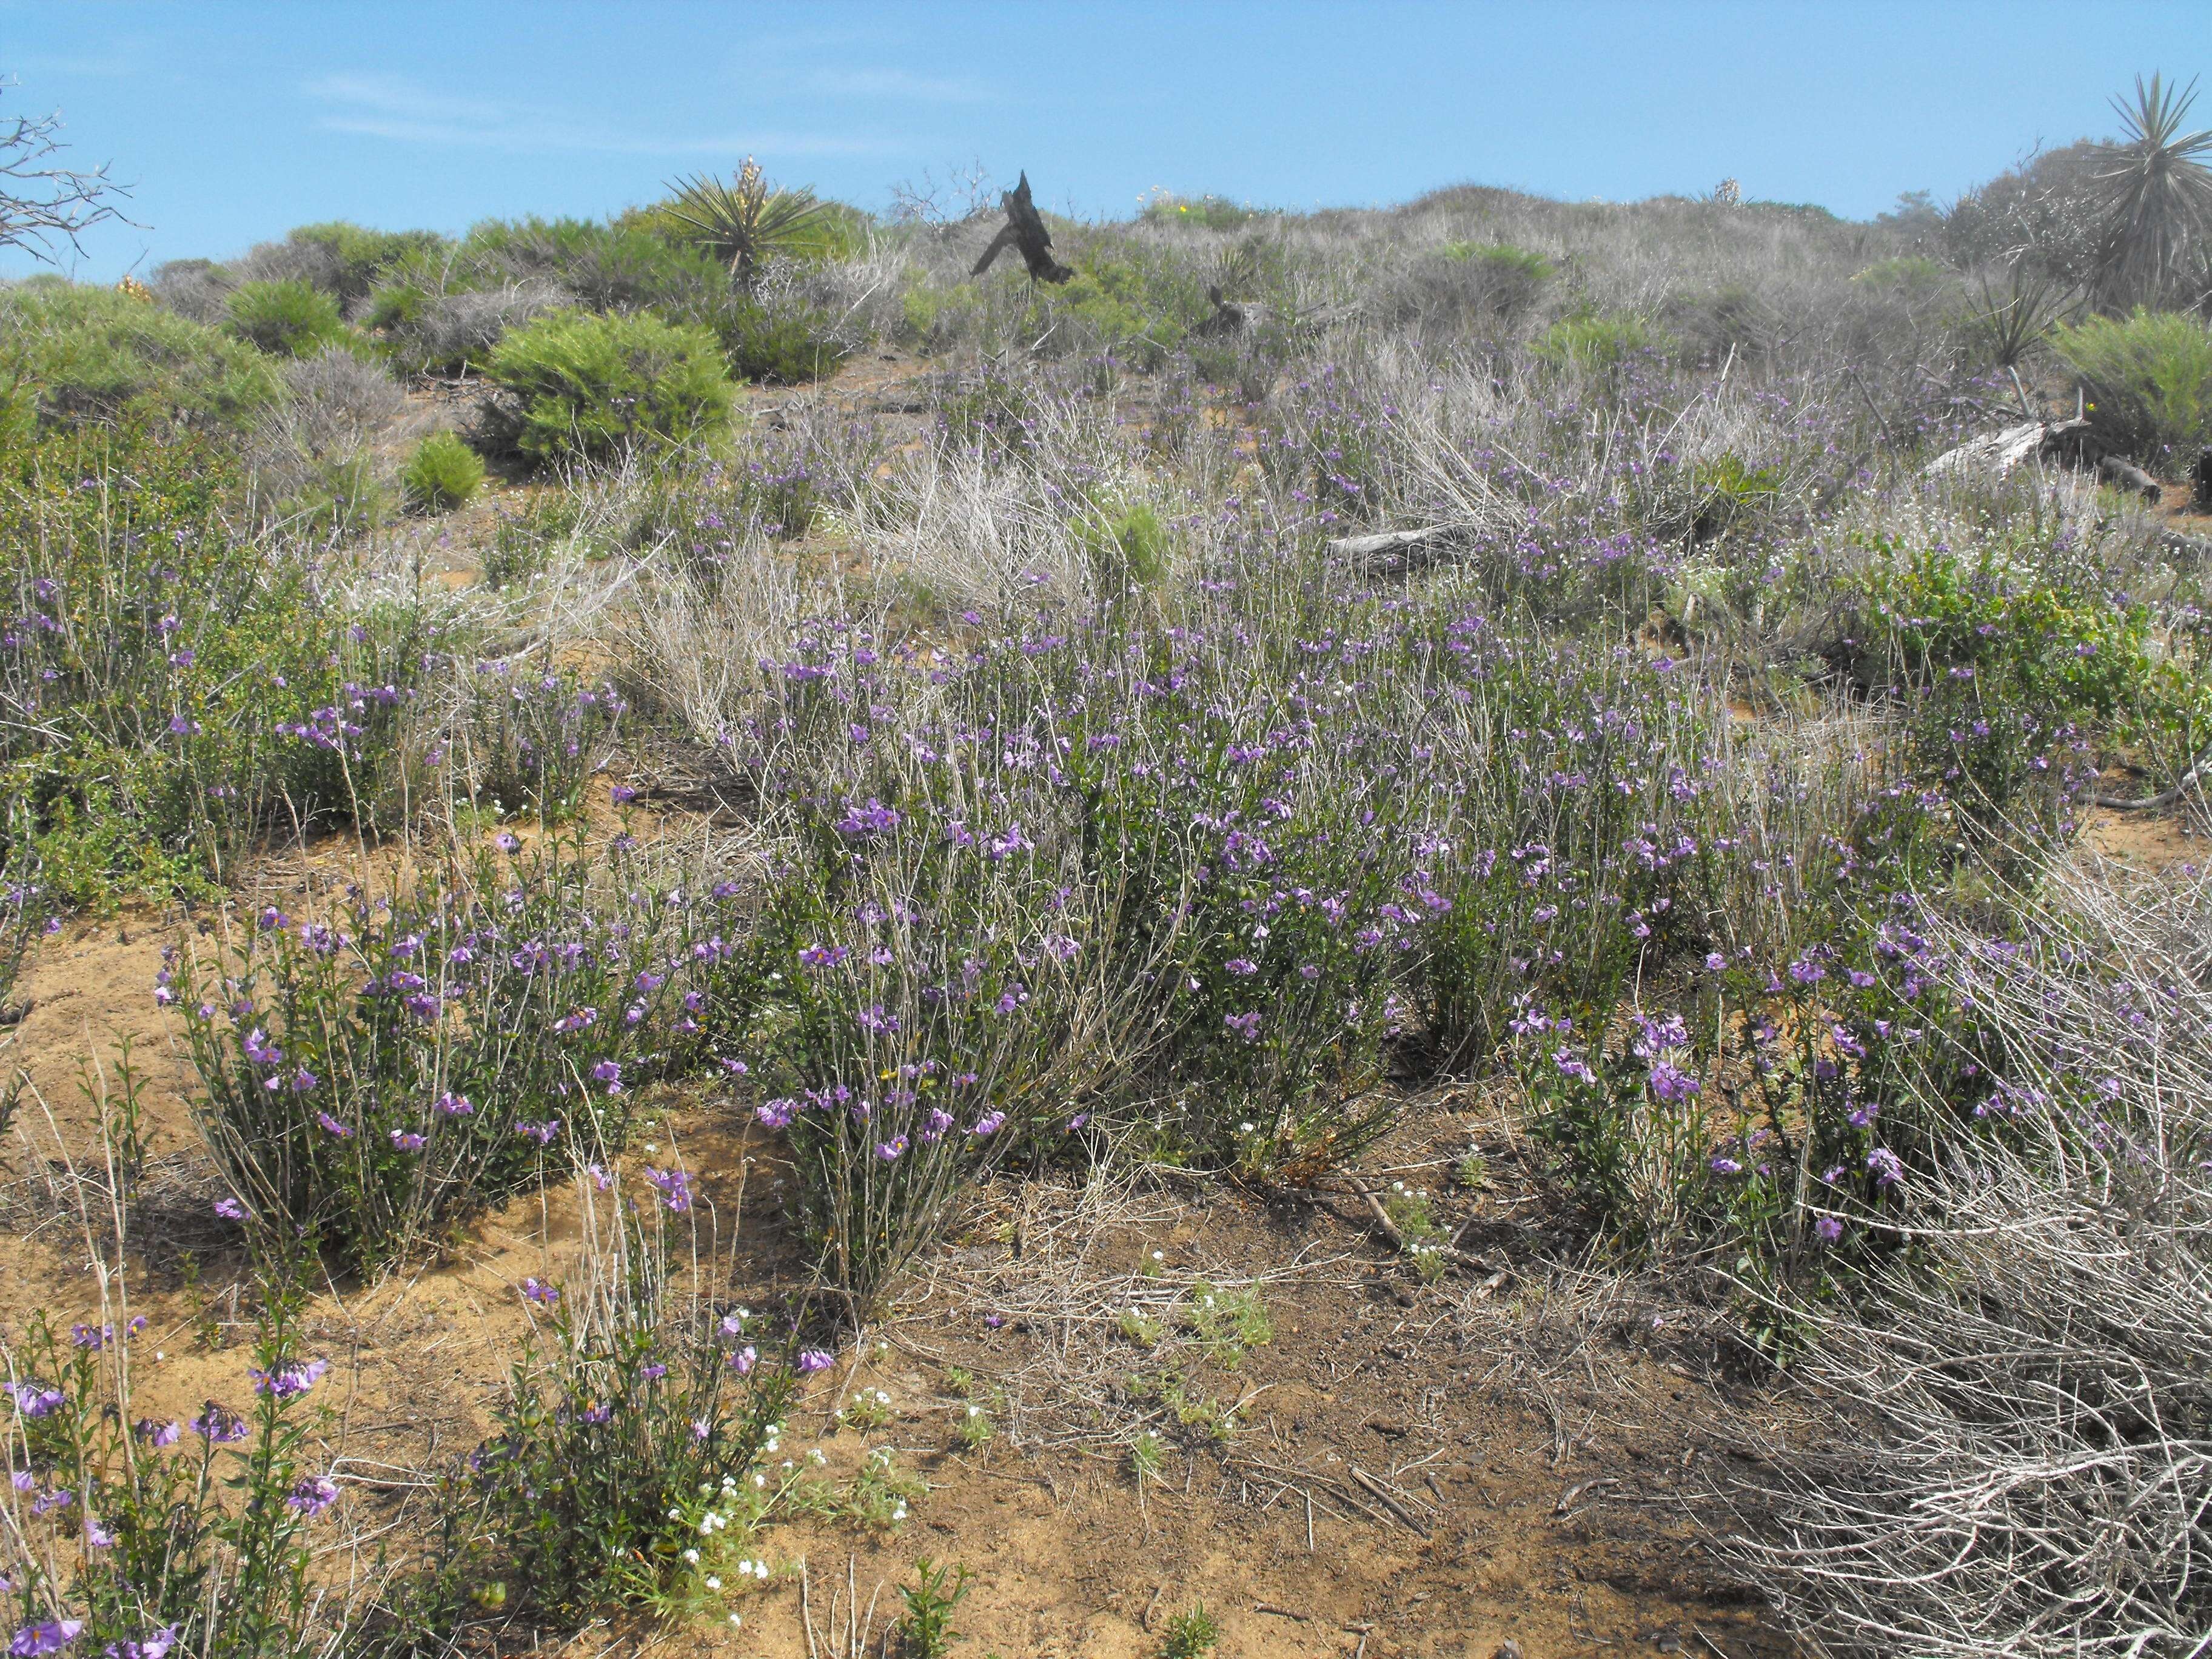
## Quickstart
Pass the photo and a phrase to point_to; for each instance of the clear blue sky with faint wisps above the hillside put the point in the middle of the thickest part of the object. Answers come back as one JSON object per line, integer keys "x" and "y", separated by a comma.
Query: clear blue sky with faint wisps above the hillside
{"x": 242, "y": 121}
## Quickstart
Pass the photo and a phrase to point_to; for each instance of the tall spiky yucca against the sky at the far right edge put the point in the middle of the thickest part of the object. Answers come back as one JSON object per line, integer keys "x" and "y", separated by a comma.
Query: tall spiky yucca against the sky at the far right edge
{"x": 2158, "y": 205}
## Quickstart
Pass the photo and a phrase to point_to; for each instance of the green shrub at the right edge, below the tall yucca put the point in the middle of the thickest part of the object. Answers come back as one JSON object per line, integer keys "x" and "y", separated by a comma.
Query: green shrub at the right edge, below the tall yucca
{"x": 2149, "y": 379}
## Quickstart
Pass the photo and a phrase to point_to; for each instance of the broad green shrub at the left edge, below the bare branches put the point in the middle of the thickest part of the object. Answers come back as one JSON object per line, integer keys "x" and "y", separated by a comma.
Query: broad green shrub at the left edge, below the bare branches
{"x": 72, "y": 355}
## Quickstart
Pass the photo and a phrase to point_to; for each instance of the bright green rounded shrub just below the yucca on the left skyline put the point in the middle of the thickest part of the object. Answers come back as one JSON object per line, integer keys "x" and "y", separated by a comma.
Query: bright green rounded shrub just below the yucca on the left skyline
{"x": 596, "y": 386}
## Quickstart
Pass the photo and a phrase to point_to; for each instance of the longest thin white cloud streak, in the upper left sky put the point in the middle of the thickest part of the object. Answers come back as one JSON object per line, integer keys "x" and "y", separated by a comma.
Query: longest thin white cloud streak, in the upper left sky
{"x": 408, "y": 114}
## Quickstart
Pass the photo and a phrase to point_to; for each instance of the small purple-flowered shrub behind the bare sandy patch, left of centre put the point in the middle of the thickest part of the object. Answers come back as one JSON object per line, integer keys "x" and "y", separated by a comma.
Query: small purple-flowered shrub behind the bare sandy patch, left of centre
{"x": 532, "y": 738}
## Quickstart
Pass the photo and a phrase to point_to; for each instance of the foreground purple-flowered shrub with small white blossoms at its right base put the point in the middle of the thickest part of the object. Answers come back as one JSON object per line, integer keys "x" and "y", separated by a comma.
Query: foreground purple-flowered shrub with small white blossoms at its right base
{"x": 632, "y": 1454}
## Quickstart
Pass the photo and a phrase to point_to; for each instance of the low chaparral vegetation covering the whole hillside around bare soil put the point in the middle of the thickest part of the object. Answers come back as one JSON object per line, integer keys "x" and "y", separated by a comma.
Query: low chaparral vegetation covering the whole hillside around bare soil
{"x": 1056, "y": 773}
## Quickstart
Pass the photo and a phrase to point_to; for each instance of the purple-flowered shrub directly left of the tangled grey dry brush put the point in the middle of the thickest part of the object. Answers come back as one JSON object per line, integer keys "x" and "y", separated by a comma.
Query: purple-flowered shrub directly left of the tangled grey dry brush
{"x": 1788, "y": 1107}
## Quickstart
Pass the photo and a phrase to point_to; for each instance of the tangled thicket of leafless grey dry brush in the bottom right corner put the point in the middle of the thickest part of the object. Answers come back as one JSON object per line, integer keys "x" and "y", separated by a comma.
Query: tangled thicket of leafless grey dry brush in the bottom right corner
{"x": 2012, "y": 1448}
